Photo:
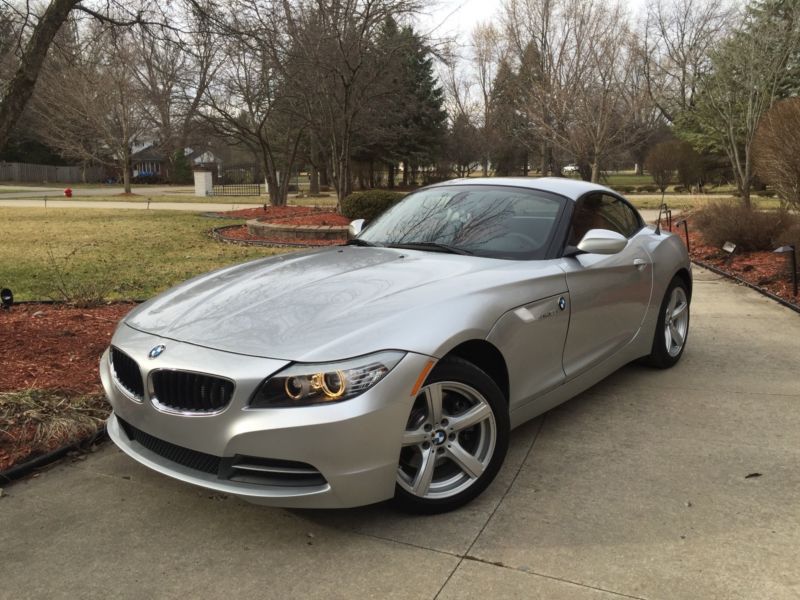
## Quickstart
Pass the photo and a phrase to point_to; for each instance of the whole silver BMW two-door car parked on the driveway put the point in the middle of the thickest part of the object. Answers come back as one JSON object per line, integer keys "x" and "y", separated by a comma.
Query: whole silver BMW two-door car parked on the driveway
{"x": 395, "y": 366}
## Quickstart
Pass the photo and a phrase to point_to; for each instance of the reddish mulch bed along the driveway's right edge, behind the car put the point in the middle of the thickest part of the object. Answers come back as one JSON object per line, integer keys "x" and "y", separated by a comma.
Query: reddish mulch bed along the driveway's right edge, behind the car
{"x": 763, "y": 269}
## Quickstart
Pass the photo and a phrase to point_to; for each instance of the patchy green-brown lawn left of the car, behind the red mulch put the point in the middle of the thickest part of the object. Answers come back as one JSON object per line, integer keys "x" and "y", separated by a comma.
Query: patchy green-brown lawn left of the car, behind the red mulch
{"x": 114, "y": 254}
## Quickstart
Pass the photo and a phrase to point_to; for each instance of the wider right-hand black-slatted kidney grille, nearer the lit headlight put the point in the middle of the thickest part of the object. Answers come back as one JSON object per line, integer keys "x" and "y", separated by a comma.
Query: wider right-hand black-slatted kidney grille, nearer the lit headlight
{"x": 189, "y": 392}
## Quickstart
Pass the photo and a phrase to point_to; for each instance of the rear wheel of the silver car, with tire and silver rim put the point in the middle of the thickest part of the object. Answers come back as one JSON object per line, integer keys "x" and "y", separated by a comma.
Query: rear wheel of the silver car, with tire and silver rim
{"x": 672, "y": 328}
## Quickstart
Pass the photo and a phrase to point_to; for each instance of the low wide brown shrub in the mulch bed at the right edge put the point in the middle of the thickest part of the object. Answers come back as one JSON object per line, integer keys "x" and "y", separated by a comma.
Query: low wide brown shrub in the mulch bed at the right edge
{"x": 748, "y": 228}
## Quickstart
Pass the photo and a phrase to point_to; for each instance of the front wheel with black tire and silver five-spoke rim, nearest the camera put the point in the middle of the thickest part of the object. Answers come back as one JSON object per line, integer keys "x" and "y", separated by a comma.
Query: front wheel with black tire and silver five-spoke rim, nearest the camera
{"x": 463, "y": 389}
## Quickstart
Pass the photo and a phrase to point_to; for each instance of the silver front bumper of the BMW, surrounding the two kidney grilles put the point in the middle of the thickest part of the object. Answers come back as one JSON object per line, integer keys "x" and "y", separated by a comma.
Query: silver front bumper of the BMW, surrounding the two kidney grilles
{"x": 354, "y": 445}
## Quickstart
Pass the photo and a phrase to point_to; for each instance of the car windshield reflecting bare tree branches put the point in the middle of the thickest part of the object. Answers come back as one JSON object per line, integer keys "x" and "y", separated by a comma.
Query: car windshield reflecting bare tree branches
{"x": 489, "y": 221}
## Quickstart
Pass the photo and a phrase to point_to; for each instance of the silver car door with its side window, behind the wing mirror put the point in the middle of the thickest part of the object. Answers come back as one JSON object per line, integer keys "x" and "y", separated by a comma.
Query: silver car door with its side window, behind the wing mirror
{"x": 609, "y": 294}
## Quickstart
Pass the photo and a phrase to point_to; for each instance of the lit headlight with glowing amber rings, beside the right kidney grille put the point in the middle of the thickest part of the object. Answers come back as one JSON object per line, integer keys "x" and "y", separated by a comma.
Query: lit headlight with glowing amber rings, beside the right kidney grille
{"x": 303, "y": 384}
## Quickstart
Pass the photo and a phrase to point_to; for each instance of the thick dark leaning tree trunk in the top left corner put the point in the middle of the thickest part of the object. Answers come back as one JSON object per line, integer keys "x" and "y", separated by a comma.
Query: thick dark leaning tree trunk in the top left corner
{"x": 21, "y": 87}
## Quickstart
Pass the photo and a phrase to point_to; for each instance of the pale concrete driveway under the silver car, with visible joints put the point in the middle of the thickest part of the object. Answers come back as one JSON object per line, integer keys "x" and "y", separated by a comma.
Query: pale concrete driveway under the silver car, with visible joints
{"x": 642, "y": 487}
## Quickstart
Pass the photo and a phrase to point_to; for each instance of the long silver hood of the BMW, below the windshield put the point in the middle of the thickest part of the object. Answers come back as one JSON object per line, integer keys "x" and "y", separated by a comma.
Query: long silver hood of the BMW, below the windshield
{"x": 337, "y": 302}
